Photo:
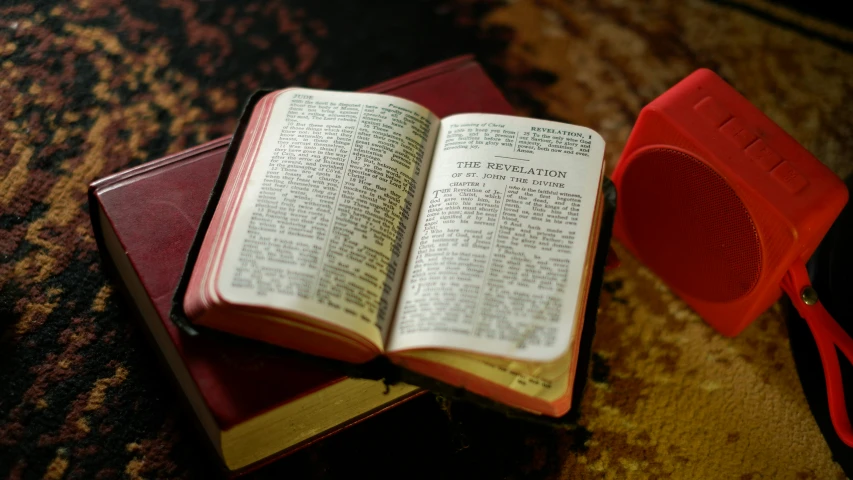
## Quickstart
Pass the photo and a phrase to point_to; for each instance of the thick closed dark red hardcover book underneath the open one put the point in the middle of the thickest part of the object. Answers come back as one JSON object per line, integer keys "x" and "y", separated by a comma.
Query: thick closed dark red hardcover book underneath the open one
{"x": 254, "y": 403}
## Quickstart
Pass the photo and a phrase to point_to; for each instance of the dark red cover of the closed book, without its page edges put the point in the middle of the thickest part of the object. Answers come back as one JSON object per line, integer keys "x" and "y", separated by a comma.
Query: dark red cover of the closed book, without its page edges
{"x": 155, "y": 209}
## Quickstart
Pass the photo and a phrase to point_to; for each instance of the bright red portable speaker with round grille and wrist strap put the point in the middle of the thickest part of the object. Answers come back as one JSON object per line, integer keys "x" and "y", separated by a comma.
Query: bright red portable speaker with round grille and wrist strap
{"x": 726, "y": 208}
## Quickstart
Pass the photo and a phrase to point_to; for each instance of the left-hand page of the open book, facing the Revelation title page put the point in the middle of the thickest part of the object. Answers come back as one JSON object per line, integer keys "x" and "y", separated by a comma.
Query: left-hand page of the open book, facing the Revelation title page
{"x": 327, "y": 216}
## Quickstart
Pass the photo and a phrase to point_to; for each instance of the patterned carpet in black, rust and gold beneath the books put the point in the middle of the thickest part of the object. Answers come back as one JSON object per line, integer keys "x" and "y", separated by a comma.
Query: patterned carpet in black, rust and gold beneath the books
{"x": 90, "y": 87}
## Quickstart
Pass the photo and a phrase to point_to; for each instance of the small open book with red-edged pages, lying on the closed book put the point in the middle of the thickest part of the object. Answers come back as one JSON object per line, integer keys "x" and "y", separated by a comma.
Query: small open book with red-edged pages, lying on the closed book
{"x": 354, "y": 225}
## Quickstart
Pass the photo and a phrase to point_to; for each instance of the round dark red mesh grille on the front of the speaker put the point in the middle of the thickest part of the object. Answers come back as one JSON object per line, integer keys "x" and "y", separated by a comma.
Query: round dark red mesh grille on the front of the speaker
{"x": 689, "y": 226}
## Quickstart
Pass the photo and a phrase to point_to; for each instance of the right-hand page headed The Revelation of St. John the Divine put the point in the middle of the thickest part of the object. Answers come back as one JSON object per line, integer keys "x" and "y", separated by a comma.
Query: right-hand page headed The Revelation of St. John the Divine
{"x": 498, "y": 257}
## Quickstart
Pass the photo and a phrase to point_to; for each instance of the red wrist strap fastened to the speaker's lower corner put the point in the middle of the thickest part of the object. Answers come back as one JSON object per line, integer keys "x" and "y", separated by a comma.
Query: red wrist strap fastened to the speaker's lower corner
{"x": 828, "y": 335}
